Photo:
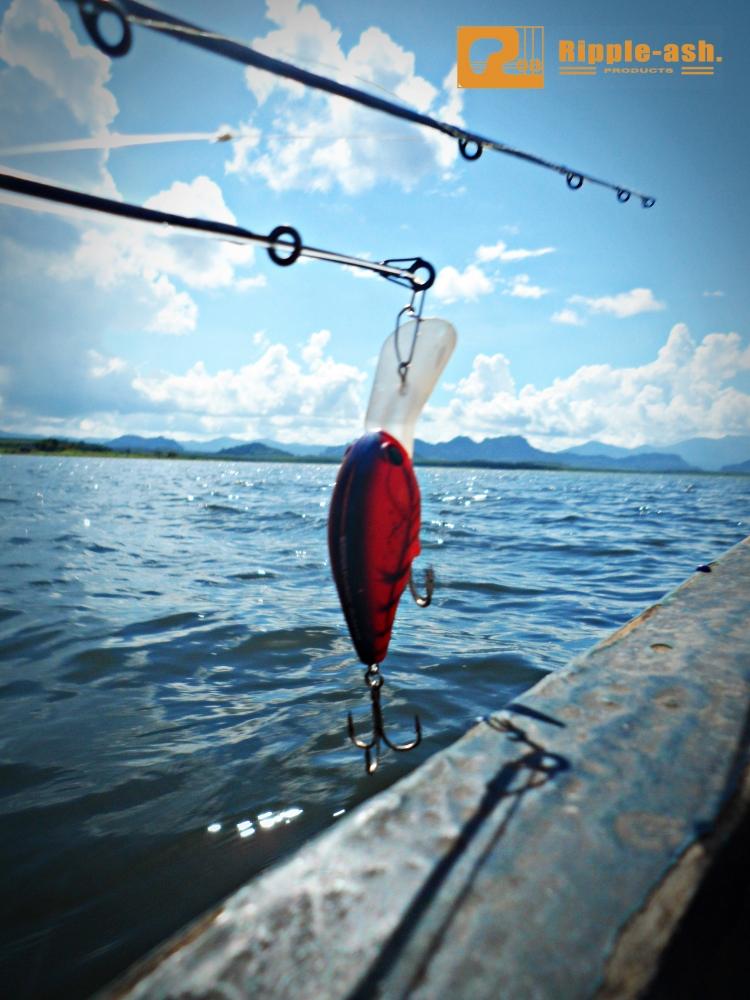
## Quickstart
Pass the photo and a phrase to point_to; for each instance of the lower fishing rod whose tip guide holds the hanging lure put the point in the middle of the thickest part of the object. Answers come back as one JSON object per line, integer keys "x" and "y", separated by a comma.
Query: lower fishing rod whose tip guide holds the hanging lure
{"x": 283, "y": 244}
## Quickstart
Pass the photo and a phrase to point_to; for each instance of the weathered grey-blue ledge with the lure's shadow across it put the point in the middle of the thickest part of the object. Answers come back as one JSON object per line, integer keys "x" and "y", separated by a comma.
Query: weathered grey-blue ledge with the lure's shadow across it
{"x": 549, "y": 853}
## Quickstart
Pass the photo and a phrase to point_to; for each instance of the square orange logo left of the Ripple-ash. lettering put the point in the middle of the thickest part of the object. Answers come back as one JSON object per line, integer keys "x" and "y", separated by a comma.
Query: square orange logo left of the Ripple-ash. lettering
{"x": 501, "y": 56}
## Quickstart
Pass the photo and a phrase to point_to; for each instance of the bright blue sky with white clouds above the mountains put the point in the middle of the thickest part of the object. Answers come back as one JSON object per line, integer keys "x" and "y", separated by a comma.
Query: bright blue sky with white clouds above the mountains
{"x": 577, "y": 317}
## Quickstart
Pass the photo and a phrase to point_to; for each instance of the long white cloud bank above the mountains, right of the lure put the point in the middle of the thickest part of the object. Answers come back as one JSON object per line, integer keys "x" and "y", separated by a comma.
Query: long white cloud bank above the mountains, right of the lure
{"x": 686, "y": 390}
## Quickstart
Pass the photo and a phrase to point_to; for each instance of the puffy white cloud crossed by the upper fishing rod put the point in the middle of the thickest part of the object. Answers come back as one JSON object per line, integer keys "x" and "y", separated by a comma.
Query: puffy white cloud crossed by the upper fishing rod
{"x": 319, "y": 140}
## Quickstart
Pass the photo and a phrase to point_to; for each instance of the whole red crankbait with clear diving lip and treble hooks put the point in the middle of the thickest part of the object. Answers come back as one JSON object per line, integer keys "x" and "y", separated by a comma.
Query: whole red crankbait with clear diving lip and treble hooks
{"x": 374, "y": 517}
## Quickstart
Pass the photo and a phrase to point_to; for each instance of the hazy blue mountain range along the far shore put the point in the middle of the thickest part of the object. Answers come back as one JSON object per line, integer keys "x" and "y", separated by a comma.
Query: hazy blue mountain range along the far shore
{"x": 727, "y": 454}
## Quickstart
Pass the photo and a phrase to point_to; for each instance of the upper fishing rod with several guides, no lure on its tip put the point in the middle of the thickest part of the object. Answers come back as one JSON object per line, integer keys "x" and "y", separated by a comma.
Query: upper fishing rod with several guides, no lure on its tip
{"x": 470, "y": 144}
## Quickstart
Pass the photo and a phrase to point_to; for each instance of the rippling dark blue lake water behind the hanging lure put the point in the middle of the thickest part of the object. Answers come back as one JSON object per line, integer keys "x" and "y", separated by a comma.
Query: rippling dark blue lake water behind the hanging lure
{"x": 173, "y": 659}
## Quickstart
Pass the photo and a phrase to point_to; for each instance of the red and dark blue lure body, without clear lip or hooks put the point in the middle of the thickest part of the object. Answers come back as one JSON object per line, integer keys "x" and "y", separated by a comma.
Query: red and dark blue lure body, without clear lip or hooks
{"x": 373, "y": 537}
